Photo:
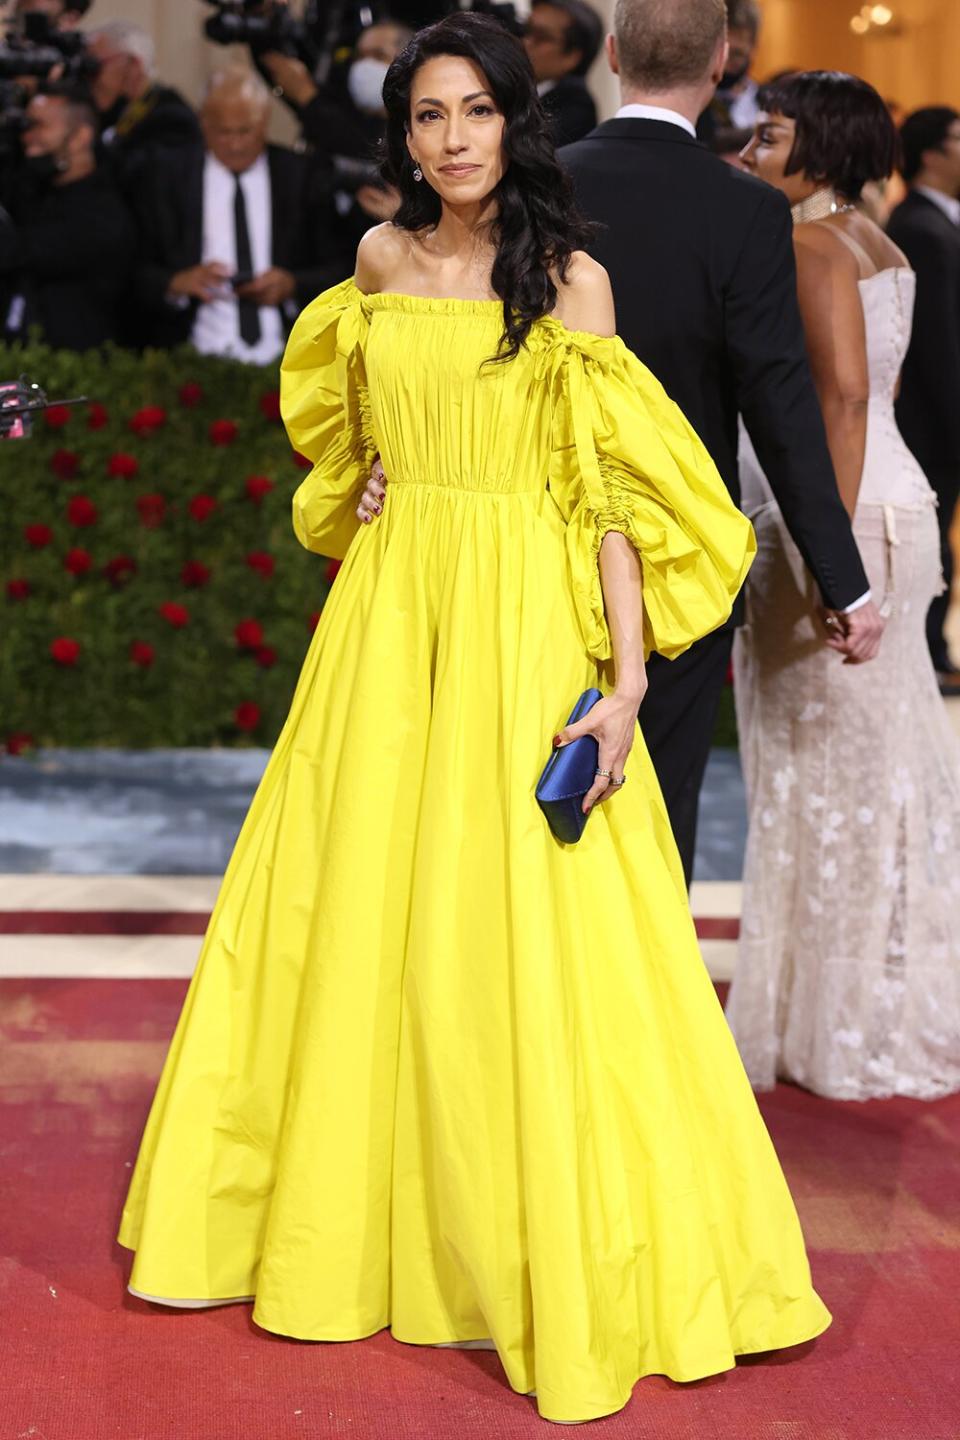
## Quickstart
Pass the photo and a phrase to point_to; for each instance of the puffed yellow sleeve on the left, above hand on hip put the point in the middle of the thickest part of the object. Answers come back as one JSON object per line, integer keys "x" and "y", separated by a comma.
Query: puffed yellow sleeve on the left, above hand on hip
{"x": 327, "y": 415}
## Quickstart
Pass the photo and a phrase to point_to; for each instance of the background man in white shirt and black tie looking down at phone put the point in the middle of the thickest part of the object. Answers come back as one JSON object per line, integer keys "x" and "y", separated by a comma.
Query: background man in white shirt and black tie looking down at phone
{"x": 237, "y": 237}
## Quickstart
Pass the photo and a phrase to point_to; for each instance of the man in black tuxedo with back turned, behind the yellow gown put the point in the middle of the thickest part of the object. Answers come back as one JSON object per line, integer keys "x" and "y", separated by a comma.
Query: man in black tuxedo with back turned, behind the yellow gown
{"x": 702, "y": 263}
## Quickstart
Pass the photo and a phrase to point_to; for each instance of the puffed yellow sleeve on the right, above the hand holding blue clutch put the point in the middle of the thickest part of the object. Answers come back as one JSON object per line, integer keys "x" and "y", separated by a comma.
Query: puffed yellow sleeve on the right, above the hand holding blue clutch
{"x": 625, "y": 459}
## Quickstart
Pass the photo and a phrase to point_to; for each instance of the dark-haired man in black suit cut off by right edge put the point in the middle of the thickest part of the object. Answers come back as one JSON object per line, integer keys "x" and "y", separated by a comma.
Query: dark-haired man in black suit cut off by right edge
{"x": 928, "y": 230}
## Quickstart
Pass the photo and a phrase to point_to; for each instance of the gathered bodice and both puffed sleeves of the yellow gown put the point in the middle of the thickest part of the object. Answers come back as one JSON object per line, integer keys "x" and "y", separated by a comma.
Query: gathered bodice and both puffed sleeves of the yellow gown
{"x": 574, "y": 431}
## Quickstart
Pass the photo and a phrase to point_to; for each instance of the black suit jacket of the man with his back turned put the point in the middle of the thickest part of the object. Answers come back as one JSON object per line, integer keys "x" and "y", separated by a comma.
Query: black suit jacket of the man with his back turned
{"x": 702, "y": 263}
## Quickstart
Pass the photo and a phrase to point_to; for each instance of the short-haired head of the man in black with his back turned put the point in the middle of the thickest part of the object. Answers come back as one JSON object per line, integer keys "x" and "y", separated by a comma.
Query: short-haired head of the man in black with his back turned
{"x": 669, "y": 45}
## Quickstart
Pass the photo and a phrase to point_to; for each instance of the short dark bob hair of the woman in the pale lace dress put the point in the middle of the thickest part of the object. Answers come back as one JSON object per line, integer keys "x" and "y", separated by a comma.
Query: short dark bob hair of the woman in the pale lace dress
{"x": 846, "y": 135}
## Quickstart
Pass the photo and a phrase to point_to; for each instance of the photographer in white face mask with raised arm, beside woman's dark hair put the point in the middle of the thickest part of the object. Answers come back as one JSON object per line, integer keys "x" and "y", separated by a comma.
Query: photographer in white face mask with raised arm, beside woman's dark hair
{"x": 346, "y": 129}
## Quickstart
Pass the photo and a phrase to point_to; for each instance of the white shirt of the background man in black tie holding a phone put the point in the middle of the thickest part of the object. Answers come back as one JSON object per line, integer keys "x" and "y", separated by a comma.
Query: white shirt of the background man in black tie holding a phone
{"x": 217, "y": 330}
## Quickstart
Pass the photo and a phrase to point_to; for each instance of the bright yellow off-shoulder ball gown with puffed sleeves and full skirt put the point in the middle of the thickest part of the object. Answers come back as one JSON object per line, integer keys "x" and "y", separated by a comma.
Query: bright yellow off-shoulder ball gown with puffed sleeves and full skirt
{"x": 438, "y": 1072}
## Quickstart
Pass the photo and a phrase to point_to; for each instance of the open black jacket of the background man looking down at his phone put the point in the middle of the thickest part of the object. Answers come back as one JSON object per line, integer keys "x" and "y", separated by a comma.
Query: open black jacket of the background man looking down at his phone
{"x": 306, "y": 240}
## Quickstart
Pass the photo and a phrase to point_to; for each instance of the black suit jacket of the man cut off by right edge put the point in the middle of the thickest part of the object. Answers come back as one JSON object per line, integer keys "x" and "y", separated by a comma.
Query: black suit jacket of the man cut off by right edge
{"x": 929, "y": 405}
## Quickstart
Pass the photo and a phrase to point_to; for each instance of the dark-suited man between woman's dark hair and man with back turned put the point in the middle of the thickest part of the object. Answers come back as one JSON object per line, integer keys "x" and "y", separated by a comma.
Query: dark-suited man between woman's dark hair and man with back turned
{"x": 563, "y": 40}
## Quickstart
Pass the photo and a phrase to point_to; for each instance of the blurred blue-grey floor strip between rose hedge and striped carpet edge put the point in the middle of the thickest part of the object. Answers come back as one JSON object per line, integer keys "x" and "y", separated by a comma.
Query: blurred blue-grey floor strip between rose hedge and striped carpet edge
{"x": 179, "y": 811}
